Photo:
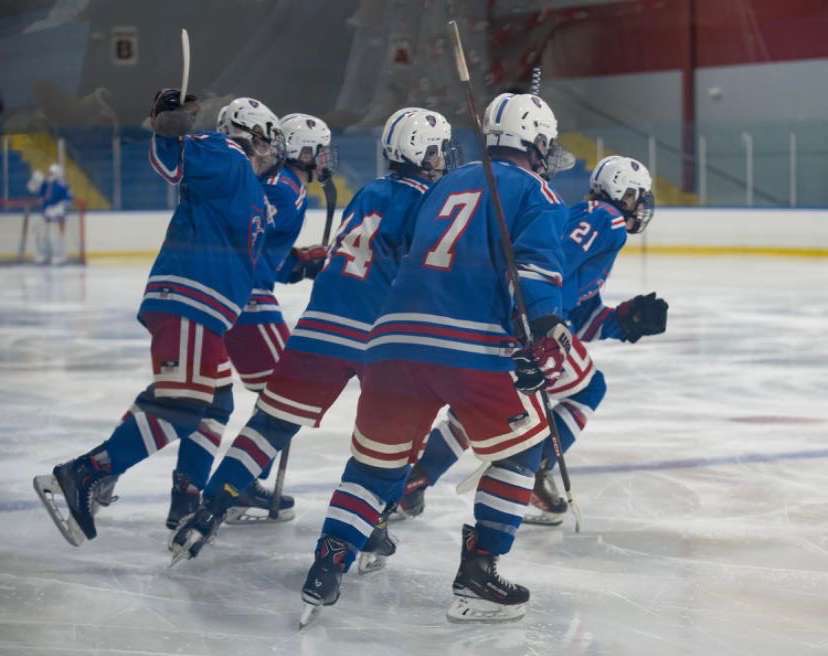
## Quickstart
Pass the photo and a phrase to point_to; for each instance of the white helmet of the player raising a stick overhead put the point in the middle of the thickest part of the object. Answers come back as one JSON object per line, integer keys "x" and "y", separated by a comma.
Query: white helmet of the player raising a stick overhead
{"x": 251, "y": 123}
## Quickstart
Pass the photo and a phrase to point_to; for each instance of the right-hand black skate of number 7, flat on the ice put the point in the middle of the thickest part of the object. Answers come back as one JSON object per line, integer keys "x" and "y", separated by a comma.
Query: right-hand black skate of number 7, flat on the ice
{"x": 480, "y": 593}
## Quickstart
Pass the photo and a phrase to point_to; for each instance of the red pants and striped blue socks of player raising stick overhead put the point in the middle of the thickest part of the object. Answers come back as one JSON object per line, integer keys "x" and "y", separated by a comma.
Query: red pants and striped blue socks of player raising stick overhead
{"x": 189, "y": 363}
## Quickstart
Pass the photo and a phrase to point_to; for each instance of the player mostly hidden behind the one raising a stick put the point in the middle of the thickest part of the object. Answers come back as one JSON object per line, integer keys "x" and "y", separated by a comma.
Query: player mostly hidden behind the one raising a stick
{"x": 257, "y": 339}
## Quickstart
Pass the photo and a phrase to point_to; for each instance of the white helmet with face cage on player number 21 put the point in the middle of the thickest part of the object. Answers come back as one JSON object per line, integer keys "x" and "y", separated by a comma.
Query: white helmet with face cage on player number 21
{"x": 626, "y": 183}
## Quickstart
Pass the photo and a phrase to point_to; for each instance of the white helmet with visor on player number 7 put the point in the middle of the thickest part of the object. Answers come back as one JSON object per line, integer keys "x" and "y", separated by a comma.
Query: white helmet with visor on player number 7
{"x": 525, "y": 122}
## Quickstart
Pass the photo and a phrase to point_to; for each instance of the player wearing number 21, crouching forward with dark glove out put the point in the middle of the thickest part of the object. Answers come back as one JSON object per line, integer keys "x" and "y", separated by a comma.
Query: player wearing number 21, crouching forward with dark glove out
{"x": 620, "y": 202}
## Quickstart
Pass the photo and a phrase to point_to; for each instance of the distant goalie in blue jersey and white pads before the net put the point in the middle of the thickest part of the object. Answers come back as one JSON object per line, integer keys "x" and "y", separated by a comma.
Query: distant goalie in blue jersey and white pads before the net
{"x": 55, "y": 198}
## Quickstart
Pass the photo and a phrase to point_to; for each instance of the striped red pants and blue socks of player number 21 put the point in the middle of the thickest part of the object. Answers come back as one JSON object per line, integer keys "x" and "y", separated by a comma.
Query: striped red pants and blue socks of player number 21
{"x": 575, "y": 395}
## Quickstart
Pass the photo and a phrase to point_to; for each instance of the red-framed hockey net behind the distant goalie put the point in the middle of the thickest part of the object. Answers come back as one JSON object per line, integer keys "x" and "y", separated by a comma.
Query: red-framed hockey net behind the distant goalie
{"x": 19, "y": 223}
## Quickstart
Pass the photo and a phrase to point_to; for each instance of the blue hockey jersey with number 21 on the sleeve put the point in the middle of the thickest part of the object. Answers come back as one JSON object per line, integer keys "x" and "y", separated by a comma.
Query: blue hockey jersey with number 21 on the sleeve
{"x": 595, "y": 234}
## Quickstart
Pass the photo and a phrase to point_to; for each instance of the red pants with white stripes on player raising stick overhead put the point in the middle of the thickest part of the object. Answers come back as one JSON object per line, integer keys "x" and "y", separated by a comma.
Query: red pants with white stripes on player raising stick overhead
{"x": 201, "y": 365}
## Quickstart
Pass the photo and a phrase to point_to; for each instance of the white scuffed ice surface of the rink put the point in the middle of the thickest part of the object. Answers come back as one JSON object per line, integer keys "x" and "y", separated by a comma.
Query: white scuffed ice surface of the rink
{"x": 702, "y": 480}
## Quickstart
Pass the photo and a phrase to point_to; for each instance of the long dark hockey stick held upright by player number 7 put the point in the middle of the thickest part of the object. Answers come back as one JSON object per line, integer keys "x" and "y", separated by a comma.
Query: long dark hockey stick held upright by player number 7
{"x": 508, "y": 253}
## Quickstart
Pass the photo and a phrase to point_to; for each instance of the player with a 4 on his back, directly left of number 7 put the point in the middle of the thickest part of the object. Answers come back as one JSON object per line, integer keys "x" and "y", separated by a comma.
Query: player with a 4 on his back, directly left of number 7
{"x": 327, "y": 346}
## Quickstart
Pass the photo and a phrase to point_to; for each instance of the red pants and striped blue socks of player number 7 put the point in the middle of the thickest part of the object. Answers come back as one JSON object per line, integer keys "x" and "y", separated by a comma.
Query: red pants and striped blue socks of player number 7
{"x": 398, "y": 404}
